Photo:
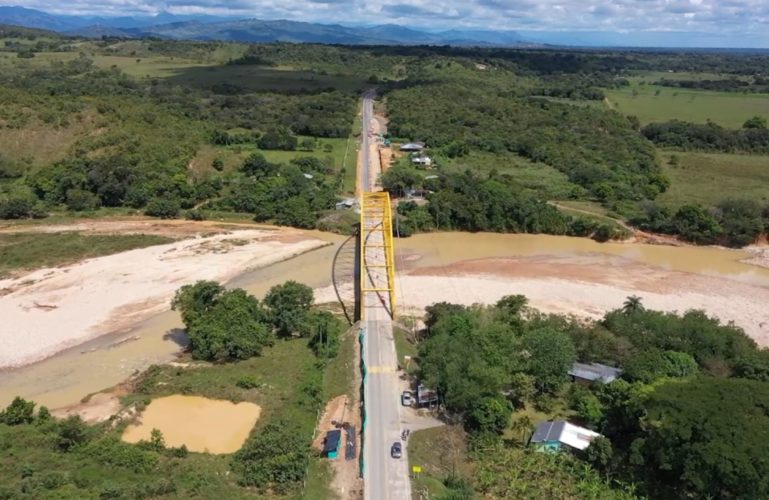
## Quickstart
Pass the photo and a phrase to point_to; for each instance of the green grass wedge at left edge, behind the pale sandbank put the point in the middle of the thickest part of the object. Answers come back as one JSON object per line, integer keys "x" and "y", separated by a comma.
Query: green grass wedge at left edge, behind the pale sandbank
{"x": 23, "y": 251}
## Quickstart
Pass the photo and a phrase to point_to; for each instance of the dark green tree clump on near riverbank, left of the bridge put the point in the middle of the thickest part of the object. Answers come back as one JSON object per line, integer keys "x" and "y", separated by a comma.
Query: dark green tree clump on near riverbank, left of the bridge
{"x": 224, "y": 325}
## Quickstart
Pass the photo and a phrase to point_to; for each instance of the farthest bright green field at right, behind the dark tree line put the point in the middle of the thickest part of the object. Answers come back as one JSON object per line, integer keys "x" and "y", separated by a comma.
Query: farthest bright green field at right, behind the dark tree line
{"x": 728, "y": 109}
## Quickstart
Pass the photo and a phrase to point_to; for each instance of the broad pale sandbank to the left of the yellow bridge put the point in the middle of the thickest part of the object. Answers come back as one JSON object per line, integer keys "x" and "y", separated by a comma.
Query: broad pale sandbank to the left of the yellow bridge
{"x": 49, "y": 310}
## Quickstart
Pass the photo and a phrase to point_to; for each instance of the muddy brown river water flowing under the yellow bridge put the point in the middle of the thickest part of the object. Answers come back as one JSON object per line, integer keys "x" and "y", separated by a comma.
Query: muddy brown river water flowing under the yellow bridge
{"x": 69, "y": 376}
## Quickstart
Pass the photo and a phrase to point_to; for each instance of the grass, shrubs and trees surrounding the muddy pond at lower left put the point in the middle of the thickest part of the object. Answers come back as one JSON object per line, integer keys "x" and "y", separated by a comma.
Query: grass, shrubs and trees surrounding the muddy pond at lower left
{"x": 47, "y": 457}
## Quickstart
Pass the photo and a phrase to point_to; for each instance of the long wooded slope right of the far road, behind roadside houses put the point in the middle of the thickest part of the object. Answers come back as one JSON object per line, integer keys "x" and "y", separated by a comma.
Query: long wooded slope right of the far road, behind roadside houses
{"x": 597, "y": 149}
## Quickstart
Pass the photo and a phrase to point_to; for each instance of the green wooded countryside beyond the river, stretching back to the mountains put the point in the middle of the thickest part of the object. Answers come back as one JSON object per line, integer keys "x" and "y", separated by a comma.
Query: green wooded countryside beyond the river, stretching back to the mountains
{"x": 113, "y": 127}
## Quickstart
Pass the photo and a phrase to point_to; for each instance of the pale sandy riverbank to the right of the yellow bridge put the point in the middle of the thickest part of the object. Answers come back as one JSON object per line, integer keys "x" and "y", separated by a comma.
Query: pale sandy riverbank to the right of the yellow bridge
{"x": 585, "y": 286}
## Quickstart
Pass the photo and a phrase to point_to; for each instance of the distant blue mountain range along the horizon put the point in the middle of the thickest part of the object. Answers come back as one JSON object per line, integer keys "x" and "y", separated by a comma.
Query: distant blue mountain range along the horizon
{"x": 247, "y": 30}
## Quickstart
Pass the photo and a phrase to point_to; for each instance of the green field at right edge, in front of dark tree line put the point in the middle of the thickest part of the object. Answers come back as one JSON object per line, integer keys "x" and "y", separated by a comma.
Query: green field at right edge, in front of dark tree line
{"x": 710, "y": 178}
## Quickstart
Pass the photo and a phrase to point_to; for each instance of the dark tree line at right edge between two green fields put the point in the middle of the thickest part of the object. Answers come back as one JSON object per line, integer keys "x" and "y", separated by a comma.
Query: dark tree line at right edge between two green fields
{"x": 752, "y": 138}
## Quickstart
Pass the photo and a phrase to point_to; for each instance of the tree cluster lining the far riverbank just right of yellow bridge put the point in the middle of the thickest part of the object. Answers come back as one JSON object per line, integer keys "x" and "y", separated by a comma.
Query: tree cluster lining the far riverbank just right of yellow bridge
{"x": 468, "y": 202}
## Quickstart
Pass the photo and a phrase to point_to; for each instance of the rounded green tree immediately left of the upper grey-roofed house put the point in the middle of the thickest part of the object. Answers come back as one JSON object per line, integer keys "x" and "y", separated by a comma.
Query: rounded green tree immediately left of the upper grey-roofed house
{"x": 550, "y": 355}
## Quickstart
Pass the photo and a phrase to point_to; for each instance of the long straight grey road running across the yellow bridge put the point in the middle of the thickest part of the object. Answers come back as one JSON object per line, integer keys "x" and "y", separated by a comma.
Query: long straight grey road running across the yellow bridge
{"x": 384, "y": 477}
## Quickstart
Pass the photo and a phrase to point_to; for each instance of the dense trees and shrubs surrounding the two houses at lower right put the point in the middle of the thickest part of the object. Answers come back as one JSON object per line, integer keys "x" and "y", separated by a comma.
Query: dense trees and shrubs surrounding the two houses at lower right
{"x": 670, "y": 422}
